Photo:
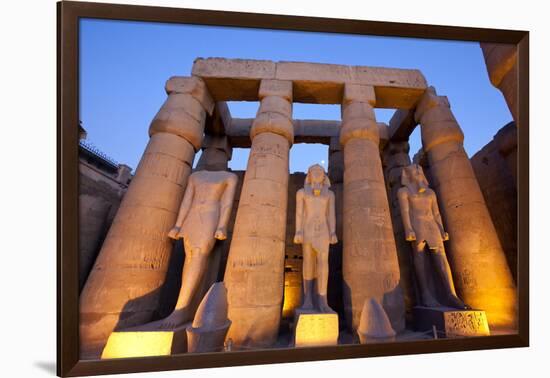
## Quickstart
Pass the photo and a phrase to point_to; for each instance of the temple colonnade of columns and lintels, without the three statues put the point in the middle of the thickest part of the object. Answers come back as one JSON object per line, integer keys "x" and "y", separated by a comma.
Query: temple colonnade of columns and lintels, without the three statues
{"x": 134, "y": 280}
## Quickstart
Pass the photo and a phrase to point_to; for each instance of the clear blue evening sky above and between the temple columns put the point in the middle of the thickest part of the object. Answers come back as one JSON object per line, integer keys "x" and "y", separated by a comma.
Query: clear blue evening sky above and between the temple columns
{"x": 124, "y": 65}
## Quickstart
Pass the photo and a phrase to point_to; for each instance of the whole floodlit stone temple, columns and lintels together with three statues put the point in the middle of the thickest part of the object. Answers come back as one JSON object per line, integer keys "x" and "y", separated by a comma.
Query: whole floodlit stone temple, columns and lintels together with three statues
{"x": 334, "y": 262}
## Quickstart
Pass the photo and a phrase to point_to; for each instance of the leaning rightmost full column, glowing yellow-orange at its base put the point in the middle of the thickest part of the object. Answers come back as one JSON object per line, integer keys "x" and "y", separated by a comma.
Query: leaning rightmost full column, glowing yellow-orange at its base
{"x": 482, "y": 277}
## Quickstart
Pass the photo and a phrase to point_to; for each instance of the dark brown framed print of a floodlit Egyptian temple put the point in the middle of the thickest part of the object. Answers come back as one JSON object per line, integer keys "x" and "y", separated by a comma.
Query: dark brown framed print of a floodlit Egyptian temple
{"x": 241, "y": 188}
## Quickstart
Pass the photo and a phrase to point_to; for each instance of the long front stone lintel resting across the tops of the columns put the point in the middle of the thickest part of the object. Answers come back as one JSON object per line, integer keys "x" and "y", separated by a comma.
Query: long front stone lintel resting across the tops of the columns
{"x": 239, "y": 80}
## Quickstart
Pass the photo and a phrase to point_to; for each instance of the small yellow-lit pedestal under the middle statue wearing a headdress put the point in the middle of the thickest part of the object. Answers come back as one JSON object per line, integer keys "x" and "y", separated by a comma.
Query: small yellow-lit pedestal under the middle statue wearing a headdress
{"x": 315, "y": 329}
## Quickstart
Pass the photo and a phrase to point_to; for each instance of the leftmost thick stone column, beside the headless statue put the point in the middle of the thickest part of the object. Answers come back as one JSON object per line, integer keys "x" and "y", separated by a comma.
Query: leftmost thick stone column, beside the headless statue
{"x": 124, "y": 286}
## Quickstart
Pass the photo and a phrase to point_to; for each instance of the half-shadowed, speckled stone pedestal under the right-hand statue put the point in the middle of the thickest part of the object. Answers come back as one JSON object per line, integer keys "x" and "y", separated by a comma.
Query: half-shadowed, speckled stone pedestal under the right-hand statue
{"x": 451, "y": 322}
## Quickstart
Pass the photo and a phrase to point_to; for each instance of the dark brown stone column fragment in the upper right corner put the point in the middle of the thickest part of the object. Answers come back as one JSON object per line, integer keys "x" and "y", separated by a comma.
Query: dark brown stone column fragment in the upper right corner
{"x": 500, "y": 60}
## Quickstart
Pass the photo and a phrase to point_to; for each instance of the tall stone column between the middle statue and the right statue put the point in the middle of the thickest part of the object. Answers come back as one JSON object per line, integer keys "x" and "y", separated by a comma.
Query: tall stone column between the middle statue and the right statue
{"x": 370, "y": 265}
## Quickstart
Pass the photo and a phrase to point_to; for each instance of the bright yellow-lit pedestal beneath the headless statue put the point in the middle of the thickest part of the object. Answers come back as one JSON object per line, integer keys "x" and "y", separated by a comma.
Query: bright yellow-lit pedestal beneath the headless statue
{"x": 143, "y": 342}
